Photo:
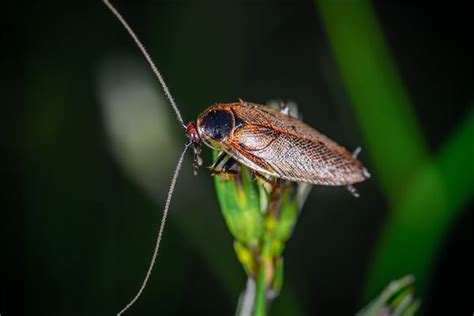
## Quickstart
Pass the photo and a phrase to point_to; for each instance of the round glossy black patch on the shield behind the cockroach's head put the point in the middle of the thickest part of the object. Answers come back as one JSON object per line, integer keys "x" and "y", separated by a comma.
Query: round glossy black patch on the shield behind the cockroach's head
{"x": 217, "y": 124}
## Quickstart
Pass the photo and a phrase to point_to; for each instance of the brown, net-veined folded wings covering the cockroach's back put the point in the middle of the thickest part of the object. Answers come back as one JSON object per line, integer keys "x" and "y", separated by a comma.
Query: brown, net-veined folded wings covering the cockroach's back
{"x": 276, "y": 144}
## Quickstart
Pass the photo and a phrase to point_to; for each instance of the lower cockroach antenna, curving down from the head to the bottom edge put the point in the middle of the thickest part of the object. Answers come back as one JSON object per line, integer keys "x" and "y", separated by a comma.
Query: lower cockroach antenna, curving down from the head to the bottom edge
{"x": 160, "y": 232}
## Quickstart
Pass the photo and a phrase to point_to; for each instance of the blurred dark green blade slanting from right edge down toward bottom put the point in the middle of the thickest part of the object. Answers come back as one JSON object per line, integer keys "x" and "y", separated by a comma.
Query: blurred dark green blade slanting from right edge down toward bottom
{"x": 424, "y": 213}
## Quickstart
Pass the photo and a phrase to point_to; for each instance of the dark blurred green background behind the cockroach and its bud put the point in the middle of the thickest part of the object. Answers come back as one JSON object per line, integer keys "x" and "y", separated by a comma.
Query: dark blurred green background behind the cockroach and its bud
{"x": 90, "y": 144}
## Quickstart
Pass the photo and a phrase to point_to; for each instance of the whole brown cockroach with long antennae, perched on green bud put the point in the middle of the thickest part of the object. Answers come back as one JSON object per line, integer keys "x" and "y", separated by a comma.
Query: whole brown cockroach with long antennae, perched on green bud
{"x": 268, "y": 141}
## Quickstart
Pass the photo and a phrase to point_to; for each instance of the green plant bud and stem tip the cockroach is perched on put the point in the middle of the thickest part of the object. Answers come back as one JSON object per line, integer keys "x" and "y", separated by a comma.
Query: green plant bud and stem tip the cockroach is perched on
{"x": 260, "y": 214}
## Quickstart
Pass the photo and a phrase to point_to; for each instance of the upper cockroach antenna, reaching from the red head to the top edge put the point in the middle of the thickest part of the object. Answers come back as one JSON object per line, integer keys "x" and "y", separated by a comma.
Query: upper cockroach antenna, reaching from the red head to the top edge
{"x": 148, "y": 58}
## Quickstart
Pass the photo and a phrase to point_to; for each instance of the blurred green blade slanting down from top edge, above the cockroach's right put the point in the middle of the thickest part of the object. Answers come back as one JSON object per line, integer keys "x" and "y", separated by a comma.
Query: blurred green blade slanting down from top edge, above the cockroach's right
{"x": 382, "y": 105}
